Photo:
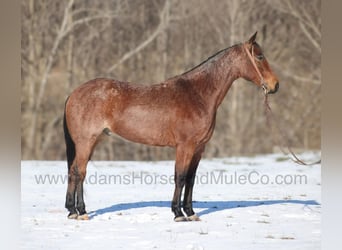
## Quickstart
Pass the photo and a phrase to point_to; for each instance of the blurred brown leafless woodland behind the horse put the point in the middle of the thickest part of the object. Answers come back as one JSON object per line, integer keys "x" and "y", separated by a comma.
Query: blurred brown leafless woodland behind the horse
{"x": 66, "y": 43}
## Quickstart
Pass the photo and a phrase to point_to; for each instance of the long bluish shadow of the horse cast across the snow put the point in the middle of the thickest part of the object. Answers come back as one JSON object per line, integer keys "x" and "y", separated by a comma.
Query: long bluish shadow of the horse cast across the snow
{"x": 208, "y": 206}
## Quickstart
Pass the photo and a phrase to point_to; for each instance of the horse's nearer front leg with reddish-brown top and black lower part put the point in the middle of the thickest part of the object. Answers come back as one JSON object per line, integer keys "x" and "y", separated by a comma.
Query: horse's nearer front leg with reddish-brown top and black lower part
{"x": 184, "y": 155}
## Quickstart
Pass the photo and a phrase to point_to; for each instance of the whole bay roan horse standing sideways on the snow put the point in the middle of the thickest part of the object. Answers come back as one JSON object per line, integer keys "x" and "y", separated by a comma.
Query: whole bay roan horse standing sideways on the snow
{"x": 179, "y": 112}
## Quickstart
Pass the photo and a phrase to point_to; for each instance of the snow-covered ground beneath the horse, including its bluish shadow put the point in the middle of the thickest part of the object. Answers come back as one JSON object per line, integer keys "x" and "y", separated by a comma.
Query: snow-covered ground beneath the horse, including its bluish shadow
{"x": 262, "y": 202}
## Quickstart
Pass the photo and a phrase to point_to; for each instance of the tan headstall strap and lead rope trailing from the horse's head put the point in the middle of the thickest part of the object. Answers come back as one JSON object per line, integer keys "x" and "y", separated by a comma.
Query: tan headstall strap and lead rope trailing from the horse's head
{"x": 269, "y": 115}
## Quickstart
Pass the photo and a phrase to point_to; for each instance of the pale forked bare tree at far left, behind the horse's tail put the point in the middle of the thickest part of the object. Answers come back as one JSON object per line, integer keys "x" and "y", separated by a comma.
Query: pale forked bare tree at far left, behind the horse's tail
{"x": 41, "y": 71}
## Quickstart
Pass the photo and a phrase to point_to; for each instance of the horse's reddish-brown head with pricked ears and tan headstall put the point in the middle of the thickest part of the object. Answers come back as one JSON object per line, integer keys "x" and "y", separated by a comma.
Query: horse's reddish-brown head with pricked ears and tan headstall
{"x": 257, "y": 68}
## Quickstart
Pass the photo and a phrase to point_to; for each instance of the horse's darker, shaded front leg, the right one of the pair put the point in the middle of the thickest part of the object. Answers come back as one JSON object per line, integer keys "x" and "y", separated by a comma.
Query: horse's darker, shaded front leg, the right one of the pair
{"x": 189, "y": 184}
